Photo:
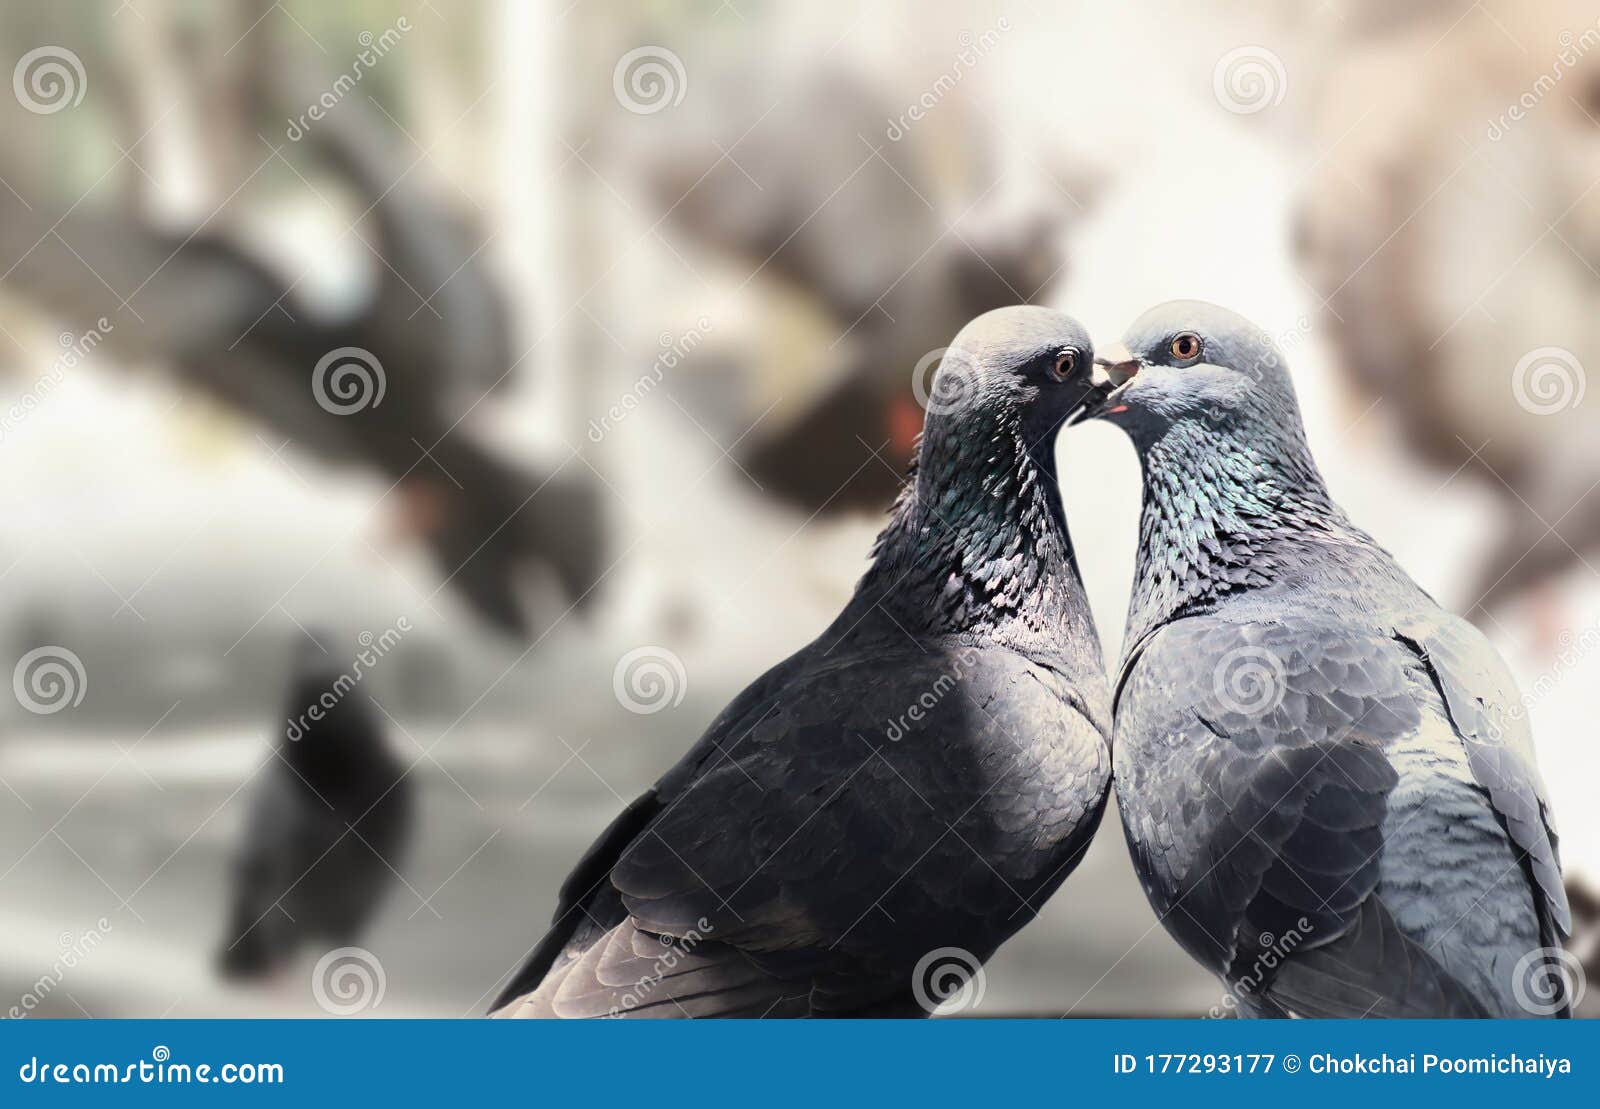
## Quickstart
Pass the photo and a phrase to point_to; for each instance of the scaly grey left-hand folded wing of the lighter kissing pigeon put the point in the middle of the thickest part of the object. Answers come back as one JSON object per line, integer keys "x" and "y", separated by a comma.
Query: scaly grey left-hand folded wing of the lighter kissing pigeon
{"x": 1255, "y": 787}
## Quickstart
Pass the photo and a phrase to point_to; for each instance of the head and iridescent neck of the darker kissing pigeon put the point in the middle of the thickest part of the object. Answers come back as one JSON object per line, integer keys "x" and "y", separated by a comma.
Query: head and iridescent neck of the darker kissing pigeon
{"x": 978, "y": 537}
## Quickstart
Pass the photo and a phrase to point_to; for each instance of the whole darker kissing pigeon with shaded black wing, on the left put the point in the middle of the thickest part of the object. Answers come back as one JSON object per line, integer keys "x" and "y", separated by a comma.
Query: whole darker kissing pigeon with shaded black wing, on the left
{"x": 900, "y": 796}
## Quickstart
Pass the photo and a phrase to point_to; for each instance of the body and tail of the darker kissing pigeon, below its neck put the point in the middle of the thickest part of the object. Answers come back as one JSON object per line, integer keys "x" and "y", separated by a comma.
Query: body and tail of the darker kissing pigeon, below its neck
{"x": 822, "y": 836}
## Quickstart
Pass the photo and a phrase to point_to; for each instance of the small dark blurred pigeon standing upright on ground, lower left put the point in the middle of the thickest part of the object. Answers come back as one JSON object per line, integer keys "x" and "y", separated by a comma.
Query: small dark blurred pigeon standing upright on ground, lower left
{"x": 327, "y": 828}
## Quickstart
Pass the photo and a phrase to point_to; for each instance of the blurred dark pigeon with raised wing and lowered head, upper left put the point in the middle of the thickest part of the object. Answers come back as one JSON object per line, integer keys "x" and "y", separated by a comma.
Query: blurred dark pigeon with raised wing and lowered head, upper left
{"x": 386, "y": 386}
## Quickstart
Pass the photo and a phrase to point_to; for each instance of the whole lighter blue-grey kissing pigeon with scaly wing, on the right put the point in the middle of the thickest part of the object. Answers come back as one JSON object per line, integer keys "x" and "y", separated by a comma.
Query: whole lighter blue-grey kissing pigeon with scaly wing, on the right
{"x": 1327, "y": 785}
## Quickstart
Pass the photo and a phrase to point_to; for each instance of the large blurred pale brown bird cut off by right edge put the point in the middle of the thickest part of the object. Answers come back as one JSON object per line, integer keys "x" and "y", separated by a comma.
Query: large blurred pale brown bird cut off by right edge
{"x": 1454, "y": 228}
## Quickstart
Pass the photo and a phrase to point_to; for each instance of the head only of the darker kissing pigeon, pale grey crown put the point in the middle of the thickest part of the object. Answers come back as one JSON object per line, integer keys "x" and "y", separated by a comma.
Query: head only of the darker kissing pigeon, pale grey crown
{"x": 1020, "y": 367}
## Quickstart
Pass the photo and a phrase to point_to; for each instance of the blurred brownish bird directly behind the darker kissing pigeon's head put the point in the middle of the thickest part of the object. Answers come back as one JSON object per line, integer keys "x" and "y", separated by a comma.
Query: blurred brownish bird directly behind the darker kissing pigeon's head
{"x": 855, "y": 222}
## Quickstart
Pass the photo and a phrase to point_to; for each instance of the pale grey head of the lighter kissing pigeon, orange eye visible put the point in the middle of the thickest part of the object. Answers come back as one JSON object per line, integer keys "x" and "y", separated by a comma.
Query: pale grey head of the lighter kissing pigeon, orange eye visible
{"x": 1191, "y": 362}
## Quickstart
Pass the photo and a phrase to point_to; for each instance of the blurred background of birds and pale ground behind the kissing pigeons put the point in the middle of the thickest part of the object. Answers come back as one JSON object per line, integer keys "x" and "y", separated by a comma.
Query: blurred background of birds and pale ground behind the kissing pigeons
{"x": 535, "y": 374}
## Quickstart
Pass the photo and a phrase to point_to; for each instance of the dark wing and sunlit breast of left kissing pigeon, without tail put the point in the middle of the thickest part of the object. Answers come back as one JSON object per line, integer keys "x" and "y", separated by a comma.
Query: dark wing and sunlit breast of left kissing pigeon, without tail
{"x": 839, "y": 838}
